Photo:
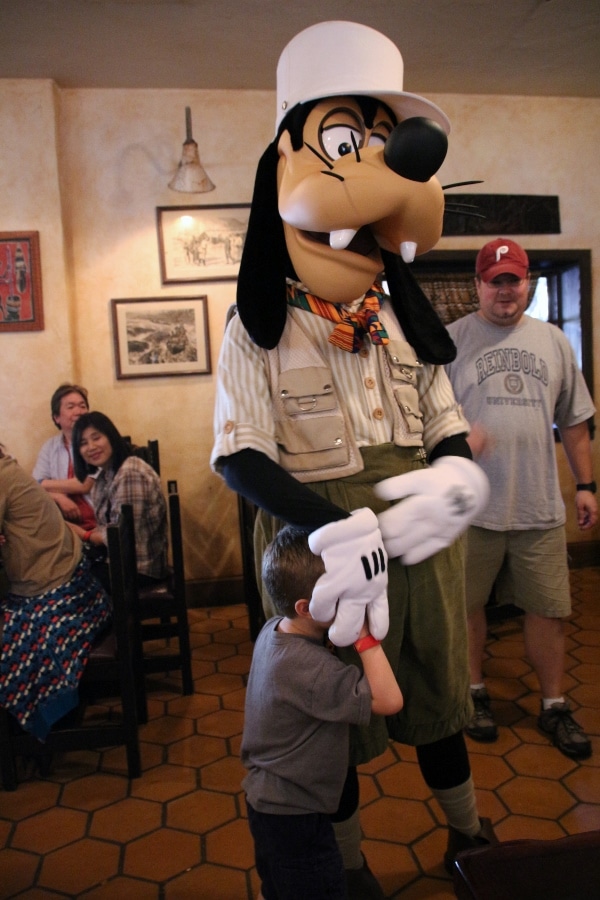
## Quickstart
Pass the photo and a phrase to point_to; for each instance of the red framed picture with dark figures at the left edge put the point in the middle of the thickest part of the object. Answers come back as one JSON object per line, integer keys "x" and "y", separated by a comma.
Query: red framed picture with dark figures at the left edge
{"x": 21, "y": 306}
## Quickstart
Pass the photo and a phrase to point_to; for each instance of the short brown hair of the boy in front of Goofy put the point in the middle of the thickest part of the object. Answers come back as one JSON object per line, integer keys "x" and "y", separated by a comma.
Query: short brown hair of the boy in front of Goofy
{"x": 290, "y": 569}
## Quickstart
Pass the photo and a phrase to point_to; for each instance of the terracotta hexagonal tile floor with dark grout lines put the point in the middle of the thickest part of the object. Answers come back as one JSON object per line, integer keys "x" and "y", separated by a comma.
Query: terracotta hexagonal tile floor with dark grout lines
{"x": 180, "y": 831}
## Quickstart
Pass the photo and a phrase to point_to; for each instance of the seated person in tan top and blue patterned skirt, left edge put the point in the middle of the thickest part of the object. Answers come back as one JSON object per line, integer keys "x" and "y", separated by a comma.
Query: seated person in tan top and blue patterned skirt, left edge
{"x": 50, "y": 592}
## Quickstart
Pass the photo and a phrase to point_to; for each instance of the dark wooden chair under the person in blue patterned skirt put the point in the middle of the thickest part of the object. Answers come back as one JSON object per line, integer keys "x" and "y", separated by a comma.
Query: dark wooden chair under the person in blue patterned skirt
{"x": 113, "y": 666}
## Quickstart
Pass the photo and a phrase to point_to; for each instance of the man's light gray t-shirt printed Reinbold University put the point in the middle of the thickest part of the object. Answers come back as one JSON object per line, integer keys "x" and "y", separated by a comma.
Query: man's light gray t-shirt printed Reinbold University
{"x": 516, "y": 382}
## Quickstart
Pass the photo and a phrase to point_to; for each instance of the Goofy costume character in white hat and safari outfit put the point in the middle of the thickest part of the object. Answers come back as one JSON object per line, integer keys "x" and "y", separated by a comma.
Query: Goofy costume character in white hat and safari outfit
{"x": 333, "y": 404}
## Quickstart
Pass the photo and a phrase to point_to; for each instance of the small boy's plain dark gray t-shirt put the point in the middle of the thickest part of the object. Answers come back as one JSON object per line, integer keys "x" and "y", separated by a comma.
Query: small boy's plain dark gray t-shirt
{"x": 300, "y": 700}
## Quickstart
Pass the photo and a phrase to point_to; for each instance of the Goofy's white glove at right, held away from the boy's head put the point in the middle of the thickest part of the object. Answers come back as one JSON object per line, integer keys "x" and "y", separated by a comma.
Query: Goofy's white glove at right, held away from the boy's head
{"x": 442, "y": 501}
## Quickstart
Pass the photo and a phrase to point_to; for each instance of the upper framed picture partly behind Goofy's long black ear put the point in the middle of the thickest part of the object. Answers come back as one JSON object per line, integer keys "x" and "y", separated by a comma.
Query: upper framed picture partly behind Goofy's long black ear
{"x": 201, "y": 243}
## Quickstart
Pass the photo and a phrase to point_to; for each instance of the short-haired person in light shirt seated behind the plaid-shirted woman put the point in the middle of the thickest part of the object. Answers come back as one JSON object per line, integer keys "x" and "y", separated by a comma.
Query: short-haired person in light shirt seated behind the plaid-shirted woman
{"x": 54, "y": 465}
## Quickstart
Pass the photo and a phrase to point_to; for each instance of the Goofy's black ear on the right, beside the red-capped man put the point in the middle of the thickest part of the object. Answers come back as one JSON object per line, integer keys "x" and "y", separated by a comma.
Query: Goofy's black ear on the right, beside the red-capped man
{"x": 420, "y": 323}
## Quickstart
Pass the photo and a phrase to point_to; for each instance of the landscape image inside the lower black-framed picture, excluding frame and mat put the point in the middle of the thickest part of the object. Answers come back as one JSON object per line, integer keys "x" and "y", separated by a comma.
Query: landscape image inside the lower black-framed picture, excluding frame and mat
{"x": 167, "y": 336}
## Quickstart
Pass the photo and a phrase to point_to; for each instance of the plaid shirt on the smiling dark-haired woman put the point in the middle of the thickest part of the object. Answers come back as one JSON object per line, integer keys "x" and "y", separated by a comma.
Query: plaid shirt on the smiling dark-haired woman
{"x": 136, "y": 483}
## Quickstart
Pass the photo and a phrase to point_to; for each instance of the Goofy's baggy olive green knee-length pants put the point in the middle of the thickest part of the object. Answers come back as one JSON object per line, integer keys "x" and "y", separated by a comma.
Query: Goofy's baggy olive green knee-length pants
{"x": 427, "y": 640}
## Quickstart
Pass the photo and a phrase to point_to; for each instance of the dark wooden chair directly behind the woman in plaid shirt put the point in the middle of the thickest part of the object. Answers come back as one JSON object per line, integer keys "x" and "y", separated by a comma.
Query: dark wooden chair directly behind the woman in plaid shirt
{"x": 165, "y": 605}
